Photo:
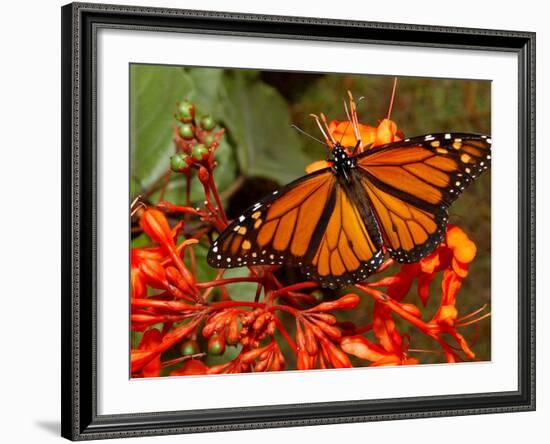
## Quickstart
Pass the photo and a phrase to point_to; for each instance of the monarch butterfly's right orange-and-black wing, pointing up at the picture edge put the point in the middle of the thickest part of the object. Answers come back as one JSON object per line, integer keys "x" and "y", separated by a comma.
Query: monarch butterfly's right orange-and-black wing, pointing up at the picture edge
{"x": 411, "y": 184}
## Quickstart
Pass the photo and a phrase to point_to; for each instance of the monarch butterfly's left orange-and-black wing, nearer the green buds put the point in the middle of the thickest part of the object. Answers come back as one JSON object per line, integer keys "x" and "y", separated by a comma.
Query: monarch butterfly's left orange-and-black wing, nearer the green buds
{"x": 312, "y": 223}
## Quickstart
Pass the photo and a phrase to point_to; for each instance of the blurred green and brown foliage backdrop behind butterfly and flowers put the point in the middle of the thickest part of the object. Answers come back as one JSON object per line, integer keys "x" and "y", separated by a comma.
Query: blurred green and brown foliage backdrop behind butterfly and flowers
{"x": 261, "y": 151}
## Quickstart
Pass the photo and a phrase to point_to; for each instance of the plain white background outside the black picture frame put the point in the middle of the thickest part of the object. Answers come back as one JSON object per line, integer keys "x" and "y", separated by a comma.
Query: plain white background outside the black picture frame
{"x": 30, "y": 121}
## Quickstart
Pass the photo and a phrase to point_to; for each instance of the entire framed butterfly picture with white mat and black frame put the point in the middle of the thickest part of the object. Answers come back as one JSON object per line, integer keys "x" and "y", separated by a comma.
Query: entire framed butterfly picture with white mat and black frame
{"x": 278, "y": 221}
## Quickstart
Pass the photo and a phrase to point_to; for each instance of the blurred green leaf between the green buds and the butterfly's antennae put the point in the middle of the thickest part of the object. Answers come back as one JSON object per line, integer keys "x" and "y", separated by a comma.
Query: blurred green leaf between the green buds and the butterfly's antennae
{"x": 258, "y": 120}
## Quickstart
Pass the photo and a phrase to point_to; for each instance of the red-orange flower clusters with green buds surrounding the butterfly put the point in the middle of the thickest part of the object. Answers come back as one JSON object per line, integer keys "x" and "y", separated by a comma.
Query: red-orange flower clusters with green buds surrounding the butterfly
{"x": 185, "y": 322}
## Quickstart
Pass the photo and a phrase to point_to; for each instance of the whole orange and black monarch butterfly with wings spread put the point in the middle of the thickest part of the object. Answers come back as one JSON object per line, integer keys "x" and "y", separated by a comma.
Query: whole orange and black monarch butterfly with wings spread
{"x": 337, "y": 223}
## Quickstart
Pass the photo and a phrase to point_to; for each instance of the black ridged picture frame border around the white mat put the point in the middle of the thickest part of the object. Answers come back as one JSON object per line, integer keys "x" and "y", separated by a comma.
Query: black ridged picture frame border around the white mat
{"x": 79, "y": 206}
